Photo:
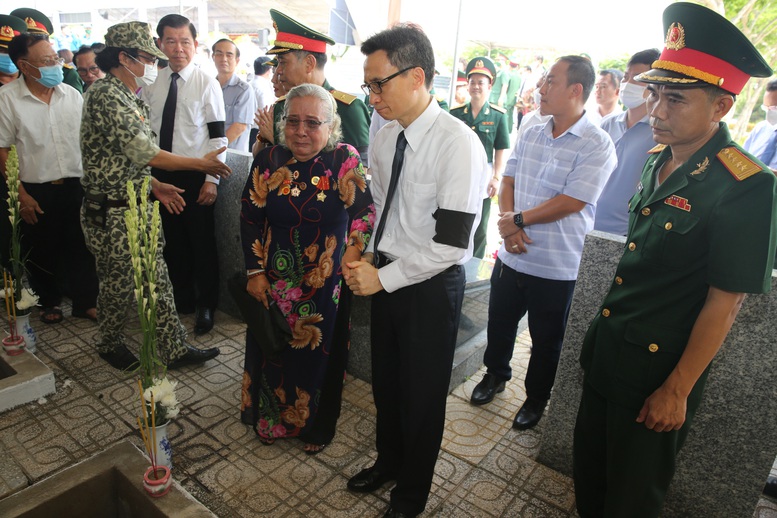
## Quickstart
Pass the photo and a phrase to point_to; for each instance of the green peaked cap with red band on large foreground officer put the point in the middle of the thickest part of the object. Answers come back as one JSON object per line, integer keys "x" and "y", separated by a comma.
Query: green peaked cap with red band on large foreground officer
{"x": 703, "y": 47}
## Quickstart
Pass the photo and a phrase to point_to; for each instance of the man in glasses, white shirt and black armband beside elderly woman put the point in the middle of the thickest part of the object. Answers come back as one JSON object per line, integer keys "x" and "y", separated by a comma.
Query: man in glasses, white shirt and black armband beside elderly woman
{"x": 423, "y": 238}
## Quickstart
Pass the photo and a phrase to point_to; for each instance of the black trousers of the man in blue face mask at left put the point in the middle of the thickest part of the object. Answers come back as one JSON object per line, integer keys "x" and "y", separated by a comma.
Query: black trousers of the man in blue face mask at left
{"x": 58, "y": 261}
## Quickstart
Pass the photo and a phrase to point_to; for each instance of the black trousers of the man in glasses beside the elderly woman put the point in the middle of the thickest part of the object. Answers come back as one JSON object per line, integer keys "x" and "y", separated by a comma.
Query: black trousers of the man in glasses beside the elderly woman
{"x": 413, "y": 336}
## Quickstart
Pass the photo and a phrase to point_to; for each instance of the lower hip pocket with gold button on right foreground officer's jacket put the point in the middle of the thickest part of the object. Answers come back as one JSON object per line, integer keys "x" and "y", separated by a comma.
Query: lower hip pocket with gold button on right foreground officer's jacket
{"x": 648, "y": 354}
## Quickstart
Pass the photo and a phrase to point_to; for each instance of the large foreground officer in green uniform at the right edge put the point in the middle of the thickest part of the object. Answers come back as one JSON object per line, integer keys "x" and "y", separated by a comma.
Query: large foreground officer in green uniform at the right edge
{"x": 701, "y": 235}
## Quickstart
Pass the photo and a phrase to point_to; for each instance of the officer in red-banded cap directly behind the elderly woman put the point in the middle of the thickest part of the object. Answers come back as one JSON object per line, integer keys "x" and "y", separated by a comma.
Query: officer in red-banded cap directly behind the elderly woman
{"x": 301, "y": 56}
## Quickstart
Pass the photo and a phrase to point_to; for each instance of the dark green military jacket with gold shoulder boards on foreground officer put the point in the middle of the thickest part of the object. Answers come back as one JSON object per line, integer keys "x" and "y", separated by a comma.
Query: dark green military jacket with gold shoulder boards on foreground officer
{"x": 710, "y": 223}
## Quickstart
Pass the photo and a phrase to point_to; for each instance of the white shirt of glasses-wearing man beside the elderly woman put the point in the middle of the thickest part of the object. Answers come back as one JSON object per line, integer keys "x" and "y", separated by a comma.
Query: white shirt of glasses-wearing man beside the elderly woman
{"x": 444, "y": 167}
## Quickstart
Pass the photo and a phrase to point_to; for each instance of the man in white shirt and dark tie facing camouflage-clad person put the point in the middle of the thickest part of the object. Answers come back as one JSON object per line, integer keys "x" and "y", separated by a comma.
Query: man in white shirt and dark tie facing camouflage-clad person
{"x": 198, "y": 124}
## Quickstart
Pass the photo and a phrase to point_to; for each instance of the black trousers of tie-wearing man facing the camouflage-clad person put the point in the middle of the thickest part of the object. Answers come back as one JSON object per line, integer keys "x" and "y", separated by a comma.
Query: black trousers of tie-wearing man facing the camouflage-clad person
{"x": 190, "y": 248}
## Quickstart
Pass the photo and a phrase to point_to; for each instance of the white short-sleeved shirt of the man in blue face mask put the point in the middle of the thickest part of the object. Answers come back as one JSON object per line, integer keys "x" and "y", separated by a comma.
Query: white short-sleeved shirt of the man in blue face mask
{"x": 46, "y": 136}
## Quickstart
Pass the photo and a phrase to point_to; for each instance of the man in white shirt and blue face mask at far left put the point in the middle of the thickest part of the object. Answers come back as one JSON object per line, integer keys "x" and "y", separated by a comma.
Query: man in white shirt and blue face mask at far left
{"x": 42, "y": 118}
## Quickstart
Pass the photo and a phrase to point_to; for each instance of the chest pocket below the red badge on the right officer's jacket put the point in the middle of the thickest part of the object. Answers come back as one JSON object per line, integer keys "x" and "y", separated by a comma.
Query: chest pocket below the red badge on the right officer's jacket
{"x": 672, "y": 239}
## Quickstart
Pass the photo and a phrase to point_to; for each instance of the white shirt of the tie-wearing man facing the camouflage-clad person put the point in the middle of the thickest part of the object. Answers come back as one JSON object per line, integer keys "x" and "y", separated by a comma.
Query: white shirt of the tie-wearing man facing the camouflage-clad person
{"x": 200, "y": 101}
